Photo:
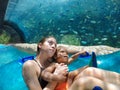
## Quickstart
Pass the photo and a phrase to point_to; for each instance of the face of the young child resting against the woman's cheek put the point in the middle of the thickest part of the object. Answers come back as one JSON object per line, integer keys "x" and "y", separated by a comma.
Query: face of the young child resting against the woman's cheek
{"x": 62, "y": 56}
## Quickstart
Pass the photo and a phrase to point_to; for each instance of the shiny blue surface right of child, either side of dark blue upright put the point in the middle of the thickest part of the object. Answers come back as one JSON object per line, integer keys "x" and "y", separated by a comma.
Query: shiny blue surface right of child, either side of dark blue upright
{"x": 107, "y": 62}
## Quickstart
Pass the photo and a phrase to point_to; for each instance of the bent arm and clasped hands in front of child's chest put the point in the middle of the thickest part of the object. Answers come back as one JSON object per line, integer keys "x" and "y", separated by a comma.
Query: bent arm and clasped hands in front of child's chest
{"x": 54, "y": 73}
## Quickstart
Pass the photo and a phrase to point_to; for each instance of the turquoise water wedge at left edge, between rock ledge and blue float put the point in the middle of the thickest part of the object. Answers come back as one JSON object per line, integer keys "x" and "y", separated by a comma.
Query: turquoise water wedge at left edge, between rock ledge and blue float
{"x": 10, "y": 53}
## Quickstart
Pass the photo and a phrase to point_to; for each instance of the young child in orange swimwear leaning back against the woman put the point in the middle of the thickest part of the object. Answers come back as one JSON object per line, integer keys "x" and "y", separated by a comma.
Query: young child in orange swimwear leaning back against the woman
{"x": 61, "y": 56}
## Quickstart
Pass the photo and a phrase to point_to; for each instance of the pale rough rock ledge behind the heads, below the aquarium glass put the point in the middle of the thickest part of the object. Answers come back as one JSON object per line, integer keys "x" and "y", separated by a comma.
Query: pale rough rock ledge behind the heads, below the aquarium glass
{"x": 99, "y": 50}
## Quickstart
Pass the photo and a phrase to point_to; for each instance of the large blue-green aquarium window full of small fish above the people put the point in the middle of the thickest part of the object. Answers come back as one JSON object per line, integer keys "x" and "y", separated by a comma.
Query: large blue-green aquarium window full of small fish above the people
{"x": 83, "y": 22}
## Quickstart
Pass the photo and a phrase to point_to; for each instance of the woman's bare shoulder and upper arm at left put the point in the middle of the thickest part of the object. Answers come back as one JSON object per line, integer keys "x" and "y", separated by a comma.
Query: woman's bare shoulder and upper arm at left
{"x": 30, "y": 74}
